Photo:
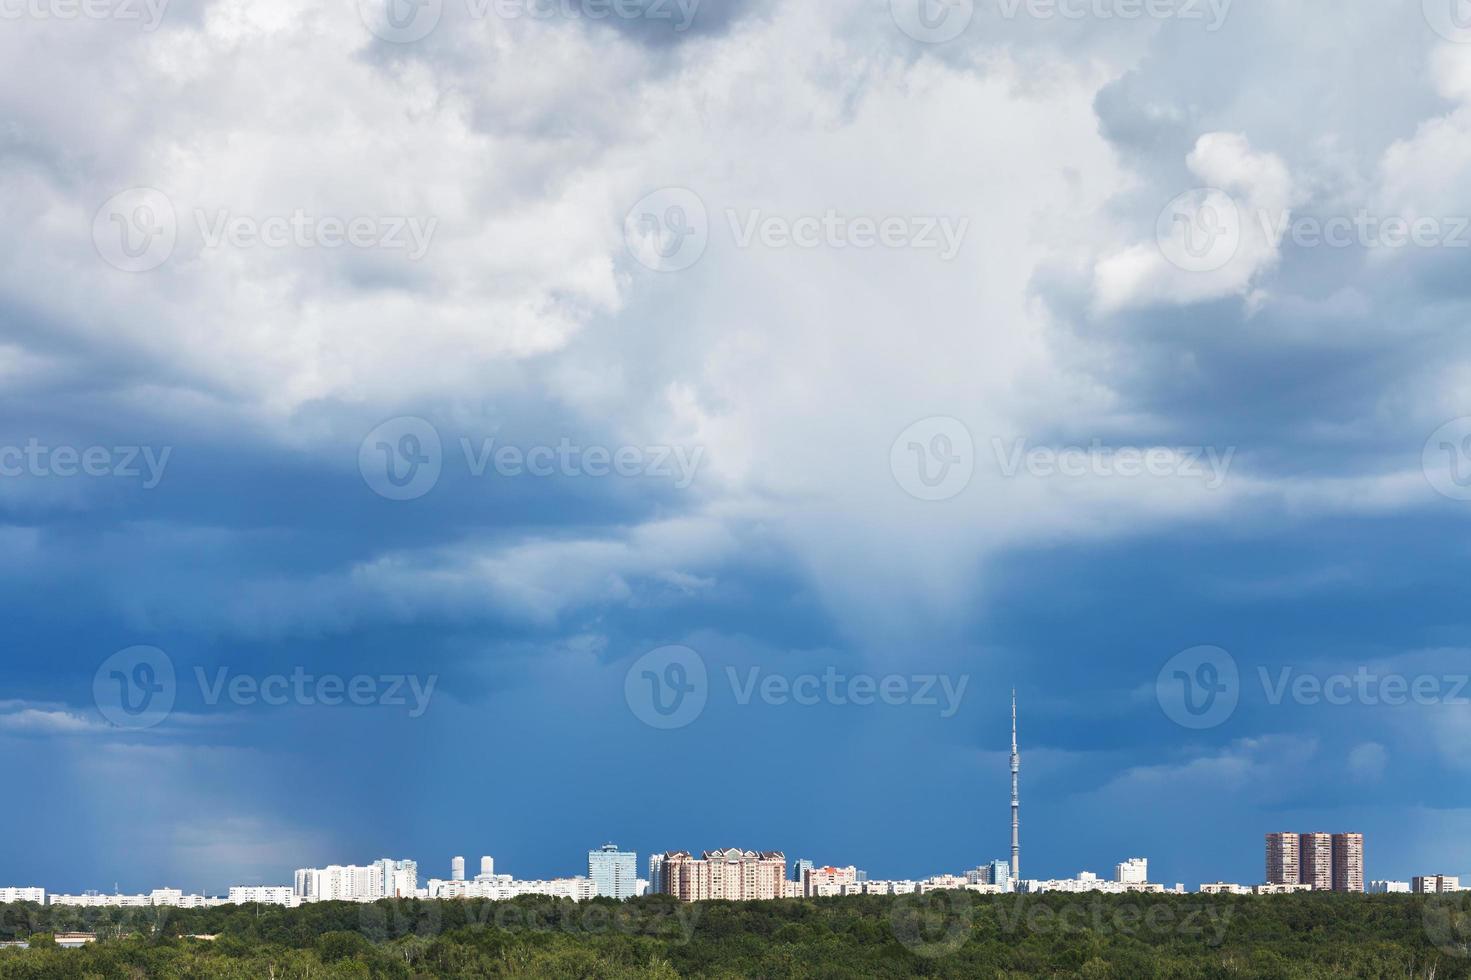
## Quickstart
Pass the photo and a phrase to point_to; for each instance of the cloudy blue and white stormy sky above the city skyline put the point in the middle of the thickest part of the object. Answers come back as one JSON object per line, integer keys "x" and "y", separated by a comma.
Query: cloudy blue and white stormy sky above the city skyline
{"x": 505, "y": 427}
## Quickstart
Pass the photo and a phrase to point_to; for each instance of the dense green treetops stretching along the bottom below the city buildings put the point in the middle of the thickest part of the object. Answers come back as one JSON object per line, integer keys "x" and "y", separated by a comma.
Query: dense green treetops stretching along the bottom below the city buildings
{"x": 945, "y": 935}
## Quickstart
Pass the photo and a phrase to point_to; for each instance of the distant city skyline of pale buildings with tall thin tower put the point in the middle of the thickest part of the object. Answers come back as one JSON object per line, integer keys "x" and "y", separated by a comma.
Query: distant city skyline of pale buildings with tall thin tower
{"x": 1294, "y": 863}
